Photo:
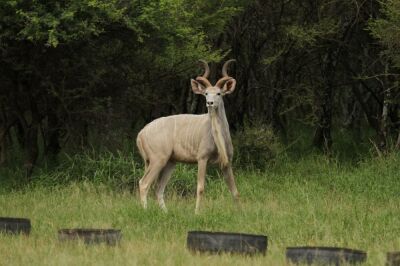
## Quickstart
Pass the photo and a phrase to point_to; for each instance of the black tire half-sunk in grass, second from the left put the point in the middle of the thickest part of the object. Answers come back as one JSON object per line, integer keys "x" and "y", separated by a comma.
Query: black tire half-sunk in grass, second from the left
{"x": 91, "y": 236}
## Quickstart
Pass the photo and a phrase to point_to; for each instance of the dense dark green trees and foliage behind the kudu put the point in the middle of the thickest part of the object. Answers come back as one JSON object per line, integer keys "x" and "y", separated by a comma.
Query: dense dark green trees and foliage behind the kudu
{"x": 83, "y": 73}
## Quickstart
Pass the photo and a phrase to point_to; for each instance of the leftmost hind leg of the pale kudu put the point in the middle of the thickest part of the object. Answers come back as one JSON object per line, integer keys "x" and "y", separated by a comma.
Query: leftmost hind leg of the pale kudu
{"x": 152, "y": 172}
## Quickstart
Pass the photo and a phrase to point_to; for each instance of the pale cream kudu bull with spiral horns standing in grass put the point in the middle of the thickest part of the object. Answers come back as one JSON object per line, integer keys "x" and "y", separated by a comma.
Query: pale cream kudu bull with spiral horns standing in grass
{"x": 189, "y": 138}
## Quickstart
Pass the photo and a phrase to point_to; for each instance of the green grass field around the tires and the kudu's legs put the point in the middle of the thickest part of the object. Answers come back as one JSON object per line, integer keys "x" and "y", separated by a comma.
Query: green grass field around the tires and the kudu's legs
{"x": 310, "y": 201}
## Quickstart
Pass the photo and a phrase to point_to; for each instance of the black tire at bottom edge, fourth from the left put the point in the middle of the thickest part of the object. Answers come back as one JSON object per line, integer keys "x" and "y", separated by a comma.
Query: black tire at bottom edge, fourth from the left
{"x": 325, "y": 255}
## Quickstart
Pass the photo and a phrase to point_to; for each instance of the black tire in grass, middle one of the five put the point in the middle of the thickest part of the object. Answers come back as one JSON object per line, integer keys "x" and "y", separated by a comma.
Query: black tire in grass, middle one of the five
{"x": 218, "y": 242}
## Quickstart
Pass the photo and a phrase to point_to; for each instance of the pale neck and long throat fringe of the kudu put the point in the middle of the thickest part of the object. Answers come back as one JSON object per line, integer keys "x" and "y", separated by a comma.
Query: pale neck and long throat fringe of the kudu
{"x": 221, "y": 134}
